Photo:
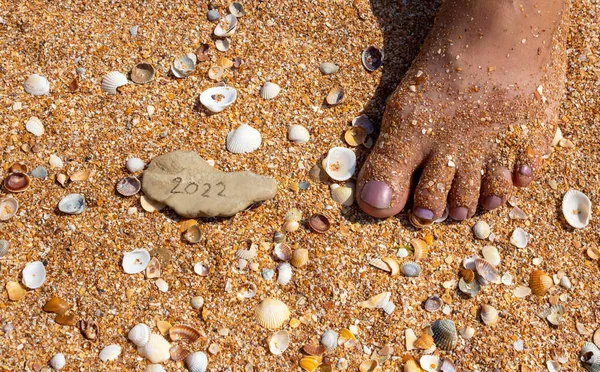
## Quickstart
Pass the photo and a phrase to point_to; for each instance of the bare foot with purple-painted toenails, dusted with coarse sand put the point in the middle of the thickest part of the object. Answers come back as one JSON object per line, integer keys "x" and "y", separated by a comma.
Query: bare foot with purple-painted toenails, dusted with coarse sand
{"x": 480, "y": 99}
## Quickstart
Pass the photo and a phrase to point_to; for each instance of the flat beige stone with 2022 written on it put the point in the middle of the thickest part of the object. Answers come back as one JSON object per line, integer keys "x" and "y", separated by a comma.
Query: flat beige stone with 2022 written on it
{"x": 193, "y": 188}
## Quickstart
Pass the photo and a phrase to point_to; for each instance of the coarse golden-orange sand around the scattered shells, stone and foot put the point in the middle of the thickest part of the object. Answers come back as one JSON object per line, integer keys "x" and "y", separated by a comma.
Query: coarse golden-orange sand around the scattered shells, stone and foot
{"x": 281, "y": 41}
